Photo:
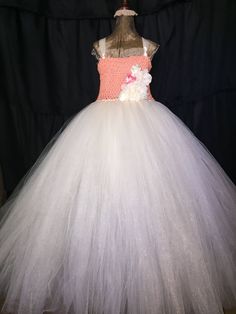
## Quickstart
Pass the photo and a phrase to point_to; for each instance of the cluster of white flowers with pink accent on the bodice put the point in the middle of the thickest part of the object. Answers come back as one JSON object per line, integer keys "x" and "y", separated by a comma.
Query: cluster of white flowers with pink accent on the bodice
{"x": 135, "y": 84}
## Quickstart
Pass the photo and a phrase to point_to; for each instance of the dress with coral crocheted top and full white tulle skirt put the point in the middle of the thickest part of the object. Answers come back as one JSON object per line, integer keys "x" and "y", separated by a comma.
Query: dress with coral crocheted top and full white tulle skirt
{"x": 125, "y": 211}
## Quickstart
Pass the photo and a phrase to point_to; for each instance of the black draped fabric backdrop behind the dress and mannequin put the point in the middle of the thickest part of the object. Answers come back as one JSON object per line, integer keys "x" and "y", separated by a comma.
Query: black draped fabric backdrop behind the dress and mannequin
{"x": 48, "y": 73}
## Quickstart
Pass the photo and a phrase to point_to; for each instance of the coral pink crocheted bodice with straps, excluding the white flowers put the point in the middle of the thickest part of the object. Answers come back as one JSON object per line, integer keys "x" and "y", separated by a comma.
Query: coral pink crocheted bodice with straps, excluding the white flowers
{"x": 113, "y": 71}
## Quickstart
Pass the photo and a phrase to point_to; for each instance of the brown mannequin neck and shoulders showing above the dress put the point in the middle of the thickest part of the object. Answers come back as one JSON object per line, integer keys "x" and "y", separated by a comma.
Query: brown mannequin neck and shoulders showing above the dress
{"x": 124, "y": 40}
